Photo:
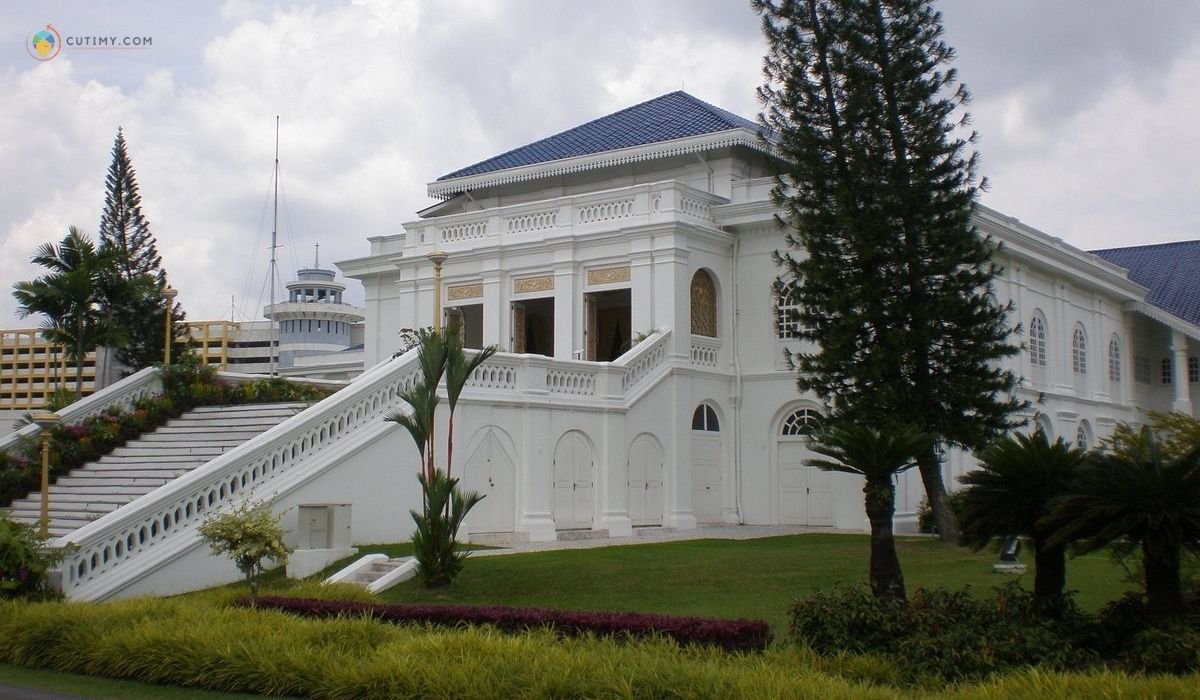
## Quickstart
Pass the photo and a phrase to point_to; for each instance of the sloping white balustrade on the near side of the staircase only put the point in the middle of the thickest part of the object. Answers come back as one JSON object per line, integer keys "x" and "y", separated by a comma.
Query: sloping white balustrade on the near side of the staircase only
{"x": 182, "y": 505}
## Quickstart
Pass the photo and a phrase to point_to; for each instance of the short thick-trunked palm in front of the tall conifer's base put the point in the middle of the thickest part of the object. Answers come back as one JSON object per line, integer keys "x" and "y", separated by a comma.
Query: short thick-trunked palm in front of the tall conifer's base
{"x": 879, "y": 456}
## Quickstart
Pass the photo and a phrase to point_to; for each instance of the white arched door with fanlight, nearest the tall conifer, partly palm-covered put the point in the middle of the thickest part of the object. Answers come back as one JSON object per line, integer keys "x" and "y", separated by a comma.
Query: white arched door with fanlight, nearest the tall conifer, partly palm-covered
{"x": 806, "y": 494}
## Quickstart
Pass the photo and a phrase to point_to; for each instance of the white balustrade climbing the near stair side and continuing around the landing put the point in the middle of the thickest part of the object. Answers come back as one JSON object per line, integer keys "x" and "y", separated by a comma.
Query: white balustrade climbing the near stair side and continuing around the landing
{"x": 115, "y": 542}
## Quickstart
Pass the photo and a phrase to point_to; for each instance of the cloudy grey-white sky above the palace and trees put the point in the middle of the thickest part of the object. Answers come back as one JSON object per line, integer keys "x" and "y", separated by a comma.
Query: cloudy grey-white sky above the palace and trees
{"x": 1087, "y": 112}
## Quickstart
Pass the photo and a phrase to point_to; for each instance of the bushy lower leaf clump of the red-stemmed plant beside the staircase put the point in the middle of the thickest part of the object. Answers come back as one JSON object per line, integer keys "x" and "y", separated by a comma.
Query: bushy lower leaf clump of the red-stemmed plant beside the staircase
{"x": 440, "y": 555}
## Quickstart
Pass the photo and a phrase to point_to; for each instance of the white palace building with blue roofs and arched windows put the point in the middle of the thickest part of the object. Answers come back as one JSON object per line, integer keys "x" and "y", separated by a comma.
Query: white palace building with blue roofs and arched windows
{"x": 625, "y": 268}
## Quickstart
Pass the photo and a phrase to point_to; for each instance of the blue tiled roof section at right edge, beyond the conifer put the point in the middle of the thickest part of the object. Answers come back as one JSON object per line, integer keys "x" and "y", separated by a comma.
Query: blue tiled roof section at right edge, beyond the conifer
{"x": 1171, "y": 271}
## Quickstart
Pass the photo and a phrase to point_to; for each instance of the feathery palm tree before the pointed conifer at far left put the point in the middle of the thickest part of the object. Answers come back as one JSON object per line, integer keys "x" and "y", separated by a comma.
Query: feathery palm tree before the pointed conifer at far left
{"x": 71, "y": 297}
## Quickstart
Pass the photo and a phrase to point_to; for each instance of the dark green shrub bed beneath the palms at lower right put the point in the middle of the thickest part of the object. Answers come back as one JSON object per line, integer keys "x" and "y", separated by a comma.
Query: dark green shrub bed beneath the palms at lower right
{"x": 953, "y": 636}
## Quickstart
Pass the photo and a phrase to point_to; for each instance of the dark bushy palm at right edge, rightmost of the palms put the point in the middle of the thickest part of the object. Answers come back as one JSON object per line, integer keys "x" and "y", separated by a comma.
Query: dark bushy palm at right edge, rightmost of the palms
{"x": 1137, "y": 496}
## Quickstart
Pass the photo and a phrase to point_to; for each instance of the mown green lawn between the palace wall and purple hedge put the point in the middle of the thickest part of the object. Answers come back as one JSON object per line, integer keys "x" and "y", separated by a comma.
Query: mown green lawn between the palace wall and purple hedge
{"x": 757, "y": 579}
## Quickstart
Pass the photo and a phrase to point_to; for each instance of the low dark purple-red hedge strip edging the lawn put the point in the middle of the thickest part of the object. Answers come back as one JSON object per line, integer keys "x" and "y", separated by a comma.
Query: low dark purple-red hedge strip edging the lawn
{"x": 734, "y": 636}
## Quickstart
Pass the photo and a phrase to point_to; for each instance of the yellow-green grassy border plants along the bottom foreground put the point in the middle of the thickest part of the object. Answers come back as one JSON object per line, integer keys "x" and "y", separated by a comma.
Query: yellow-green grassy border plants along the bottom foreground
{"x": 205, "y": 644}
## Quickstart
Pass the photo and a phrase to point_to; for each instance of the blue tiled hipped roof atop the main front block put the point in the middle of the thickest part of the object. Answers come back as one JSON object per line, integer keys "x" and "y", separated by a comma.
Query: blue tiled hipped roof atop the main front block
{"x": 670, "y": 117}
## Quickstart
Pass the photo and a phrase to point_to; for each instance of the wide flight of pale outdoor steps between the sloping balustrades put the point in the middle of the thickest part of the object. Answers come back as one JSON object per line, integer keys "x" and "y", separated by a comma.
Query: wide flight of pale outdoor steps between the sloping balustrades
{"x": 143, "y": 465}
